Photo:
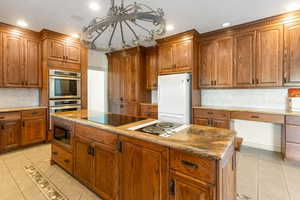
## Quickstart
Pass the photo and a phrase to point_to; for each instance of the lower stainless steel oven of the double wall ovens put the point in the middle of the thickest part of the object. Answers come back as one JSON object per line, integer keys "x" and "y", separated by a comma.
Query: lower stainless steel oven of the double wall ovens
{"x": 63, "y": 105}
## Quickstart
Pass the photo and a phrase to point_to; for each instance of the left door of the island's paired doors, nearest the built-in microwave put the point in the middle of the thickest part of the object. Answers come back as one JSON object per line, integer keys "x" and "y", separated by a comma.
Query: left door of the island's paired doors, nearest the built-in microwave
{"x": 83, "y": 160}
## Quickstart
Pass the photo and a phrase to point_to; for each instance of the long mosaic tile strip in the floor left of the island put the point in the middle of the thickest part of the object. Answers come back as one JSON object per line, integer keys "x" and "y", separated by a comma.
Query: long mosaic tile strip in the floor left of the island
{"x": 49, "y": 190}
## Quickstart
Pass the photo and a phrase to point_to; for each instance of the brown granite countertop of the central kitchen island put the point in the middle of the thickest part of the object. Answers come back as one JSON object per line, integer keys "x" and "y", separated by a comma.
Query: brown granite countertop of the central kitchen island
{"x": 201, "y": 140}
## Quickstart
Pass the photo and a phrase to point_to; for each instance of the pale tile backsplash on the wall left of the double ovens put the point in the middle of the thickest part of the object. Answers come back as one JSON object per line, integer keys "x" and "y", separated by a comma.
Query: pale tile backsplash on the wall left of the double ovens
{"x": 11, "y": 97}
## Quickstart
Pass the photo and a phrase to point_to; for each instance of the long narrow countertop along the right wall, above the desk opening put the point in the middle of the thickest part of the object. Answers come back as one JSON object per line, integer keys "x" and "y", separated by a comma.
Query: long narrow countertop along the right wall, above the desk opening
{"x": 259, "y": 110}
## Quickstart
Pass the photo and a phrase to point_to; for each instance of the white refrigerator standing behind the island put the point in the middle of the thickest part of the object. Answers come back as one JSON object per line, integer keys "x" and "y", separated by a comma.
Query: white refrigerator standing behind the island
{"x": 174, "y": 98}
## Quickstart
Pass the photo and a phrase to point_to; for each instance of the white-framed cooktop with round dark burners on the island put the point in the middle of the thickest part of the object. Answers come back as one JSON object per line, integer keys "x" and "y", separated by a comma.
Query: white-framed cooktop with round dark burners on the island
{"x": 164, "y": 129}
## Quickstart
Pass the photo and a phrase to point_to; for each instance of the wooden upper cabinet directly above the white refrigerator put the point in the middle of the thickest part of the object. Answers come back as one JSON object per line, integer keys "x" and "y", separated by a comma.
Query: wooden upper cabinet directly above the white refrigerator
{"x": 176, "y": 54}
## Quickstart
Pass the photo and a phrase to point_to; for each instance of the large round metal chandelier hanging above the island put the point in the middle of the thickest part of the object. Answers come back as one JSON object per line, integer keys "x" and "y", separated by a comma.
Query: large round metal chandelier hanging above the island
{"x": 136, "y": 23}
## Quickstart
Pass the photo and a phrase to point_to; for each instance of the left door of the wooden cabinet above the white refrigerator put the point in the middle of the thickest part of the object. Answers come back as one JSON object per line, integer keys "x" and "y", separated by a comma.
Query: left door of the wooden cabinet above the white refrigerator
{"x": 165, "y": 58}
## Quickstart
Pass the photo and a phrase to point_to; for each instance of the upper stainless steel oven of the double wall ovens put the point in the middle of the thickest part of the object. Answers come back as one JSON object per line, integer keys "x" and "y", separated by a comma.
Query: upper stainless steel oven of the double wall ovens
{"x": 64, "y": 84}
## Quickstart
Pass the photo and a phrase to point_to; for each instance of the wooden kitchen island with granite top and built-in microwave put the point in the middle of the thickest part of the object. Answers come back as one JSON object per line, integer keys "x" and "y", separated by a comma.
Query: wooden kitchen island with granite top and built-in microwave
{"x": 196, "y": 163}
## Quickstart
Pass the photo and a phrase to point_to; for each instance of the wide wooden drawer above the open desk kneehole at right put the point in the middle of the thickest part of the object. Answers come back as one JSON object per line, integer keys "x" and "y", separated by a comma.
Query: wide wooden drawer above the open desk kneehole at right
{"x": 259, "y": 117}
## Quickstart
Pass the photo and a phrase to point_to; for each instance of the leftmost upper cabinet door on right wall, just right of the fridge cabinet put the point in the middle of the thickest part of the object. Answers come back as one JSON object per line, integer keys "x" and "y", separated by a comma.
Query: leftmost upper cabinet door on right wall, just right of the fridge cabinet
{"x": 207, "y": 64}
